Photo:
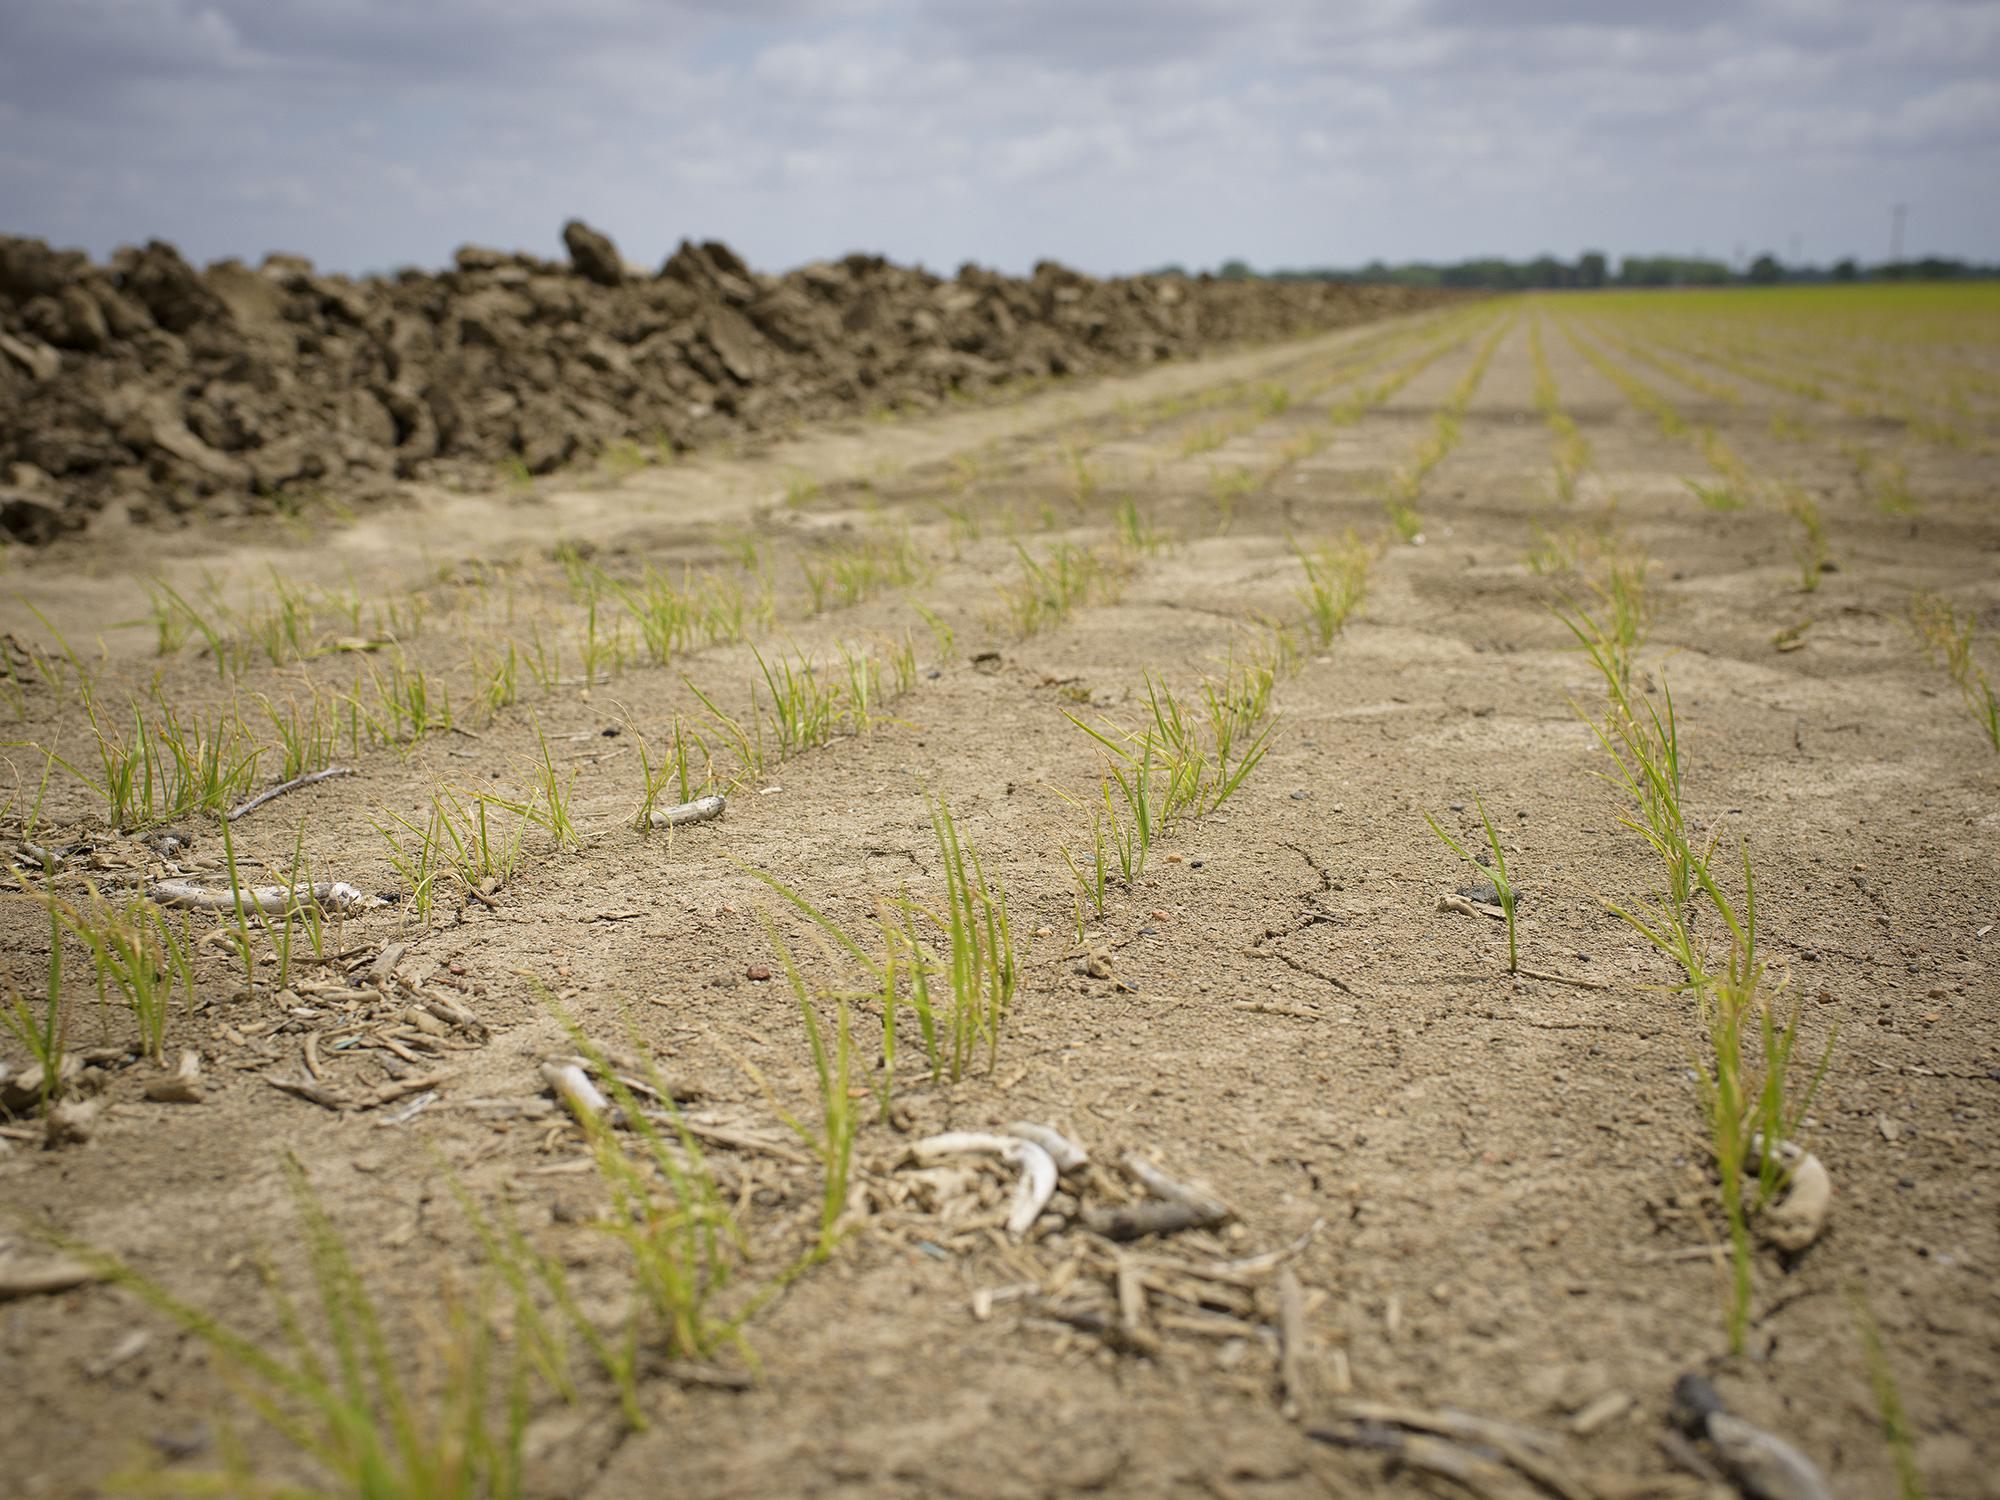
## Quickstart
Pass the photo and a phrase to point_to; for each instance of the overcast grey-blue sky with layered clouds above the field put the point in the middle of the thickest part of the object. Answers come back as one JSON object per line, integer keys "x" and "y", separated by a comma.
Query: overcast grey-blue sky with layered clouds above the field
{"x": 1113, "y": 137}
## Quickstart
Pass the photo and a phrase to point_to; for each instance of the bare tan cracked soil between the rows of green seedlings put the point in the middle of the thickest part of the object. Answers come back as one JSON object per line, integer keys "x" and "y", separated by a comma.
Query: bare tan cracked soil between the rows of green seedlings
{"x": 1505, "y": 1181}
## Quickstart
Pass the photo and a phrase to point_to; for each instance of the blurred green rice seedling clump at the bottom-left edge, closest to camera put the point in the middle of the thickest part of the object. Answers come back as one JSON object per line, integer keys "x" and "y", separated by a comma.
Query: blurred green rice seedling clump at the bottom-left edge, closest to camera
{"x": 333, "y": 1393}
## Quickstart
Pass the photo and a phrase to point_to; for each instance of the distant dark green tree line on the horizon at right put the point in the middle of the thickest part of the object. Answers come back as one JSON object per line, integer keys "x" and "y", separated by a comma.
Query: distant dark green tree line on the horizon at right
{"x": 1595, "y": 269}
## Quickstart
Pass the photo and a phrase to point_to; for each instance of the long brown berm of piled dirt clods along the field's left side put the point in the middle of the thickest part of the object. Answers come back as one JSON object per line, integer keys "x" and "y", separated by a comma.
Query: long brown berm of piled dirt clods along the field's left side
{"x": 151, "y": 387}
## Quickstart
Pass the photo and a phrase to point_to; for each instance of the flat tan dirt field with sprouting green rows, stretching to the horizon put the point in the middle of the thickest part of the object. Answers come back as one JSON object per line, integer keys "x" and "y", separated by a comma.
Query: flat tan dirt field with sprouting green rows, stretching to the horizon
{"x": 1485, "y": 1193}
